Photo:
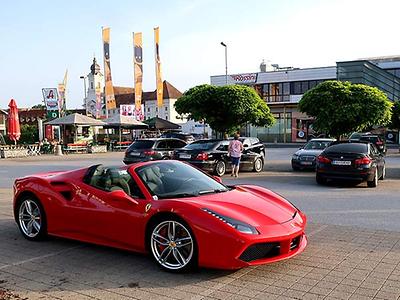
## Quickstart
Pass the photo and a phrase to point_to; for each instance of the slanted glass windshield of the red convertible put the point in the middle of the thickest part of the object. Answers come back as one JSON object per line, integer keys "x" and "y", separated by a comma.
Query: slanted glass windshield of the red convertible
{"x": 173, "y": 179}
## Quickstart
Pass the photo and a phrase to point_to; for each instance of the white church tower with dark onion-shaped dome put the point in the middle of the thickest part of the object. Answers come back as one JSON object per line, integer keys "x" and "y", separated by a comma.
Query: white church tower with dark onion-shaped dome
{"x": 93, "y": 101}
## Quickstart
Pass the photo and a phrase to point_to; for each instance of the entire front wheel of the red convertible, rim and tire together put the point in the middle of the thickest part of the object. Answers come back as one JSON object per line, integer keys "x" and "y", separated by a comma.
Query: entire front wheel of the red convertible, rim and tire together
{"x": 173, "y": 245}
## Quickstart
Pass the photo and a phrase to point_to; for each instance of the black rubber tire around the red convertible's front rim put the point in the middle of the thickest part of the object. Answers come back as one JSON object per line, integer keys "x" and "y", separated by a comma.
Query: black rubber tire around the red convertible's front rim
{"x": 170, "y": 263}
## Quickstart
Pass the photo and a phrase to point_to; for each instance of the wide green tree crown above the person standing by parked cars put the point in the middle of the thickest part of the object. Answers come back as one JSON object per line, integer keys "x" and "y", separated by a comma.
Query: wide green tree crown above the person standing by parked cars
{"x": 225, "y": 108}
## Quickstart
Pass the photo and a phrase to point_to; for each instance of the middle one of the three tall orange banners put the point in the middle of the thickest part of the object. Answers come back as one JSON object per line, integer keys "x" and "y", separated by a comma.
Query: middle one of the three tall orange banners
{"x": 138, "y": 67}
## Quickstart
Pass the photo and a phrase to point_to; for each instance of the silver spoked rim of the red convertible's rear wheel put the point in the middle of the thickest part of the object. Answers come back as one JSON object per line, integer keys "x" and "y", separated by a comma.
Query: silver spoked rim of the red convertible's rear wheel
{"x": 30, "y": 219}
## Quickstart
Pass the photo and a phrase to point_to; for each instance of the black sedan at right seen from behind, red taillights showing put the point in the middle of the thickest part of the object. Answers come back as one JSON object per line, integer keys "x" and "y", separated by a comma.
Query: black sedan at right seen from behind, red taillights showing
{"x": 351, "y": 161}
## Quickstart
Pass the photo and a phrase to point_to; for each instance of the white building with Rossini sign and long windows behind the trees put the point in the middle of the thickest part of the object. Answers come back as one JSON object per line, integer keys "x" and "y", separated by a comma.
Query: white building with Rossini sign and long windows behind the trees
{"x": 282, "y": 89}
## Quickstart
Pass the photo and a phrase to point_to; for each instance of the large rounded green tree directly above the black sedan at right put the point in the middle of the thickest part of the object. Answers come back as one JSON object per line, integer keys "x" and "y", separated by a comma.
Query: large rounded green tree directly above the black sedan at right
{"x": 340, "y": 108}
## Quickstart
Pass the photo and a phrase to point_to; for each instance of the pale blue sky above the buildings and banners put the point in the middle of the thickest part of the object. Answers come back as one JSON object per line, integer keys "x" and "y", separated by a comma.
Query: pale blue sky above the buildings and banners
{"x": 40, "y": 39}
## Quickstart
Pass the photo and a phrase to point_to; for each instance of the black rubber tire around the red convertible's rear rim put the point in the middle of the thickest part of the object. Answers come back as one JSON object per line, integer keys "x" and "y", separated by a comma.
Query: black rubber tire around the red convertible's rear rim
{"x": 37, "y": 215}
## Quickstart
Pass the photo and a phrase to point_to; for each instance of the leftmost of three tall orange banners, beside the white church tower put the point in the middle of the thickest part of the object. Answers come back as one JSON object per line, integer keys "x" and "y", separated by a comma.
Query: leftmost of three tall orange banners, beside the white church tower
{"x": 109, "y": 90}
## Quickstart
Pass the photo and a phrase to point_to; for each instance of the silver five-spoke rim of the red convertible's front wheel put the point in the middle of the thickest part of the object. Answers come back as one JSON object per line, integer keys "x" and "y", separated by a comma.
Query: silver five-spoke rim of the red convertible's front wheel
{"x": 172, "y": 245}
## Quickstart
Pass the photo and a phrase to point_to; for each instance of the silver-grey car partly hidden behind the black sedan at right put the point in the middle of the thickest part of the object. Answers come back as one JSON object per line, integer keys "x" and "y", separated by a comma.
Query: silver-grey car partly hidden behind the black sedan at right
{"x": 305, "y": 157}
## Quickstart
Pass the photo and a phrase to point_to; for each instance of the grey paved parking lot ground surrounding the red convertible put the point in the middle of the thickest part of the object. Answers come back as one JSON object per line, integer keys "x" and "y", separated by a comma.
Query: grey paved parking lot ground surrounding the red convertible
{"x": 353, "y": 252}
